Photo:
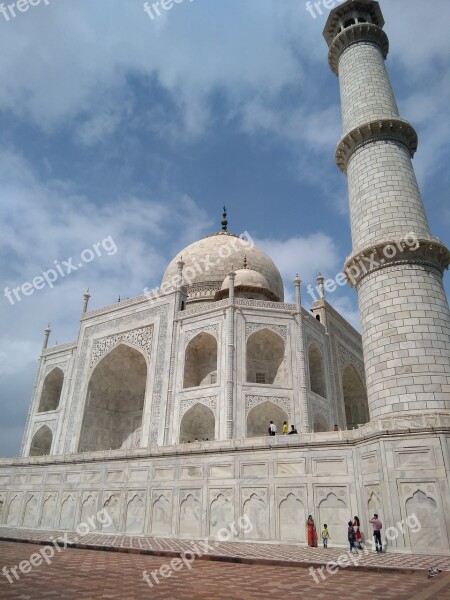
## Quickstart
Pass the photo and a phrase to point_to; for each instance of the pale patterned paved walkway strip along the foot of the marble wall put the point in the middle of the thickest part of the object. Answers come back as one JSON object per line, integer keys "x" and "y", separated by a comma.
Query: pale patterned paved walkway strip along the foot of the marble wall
{"x": 242, "y": 552}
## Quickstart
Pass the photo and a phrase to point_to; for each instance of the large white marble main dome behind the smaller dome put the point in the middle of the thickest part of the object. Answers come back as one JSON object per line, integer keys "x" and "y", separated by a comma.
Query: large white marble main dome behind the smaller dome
{"x": 208, "y": 262}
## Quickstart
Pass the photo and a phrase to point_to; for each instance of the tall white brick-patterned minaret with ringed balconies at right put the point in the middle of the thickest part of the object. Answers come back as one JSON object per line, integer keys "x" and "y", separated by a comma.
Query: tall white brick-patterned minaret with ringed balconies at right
{"x": 396, "y": 265}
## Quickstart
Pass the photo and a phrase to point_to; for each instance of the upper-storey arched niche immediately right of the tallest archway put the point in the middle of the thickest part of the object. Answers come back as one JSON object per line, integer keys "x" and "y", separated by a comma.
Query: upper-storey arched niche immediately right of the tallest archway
{"x": 200, "y": 362}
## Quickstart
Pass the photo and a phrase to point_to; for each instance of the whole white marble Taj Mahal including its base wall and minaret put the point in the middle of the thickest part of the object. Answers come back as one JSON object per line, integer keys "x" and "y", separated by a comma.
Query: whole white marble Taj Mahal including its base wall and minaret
{"x": 159, "y": 410}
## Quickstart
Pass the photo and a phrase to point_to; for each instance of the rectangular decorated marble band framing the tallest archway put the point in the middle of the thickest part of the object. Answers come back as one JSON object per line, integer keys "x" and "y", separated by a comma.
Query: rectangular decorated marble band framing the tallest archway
{"x": 83, "y": 367}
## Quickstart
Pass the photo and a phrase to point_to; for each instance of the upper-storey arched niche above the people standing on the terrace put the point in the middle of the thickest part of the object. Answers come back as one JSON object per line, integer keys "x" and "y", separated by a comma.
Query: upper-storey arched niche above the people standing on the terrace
{"x": 266, "y": 358}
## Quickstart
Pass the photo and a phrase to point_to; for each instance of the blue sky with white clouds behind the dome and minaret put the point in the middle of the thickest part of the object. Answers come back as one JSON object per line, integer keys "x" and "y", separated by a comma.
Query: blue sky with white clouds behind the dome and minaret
{"x": 116, "y": 125}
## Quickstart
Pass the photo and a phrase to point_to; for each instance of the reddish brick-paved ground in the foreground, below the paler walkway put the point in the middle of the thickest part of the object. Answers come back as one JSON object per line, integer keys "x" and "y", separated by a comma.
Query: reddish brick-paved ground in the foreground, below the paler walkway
{"x": 75, "y": 574}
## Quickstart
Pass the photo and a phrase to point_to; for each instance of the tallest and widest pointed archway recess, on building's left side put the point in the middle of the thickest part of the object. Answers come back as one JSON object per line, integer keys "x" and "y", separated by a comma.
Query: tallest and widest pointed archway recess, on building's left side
{"x": 115, "y": 401}
